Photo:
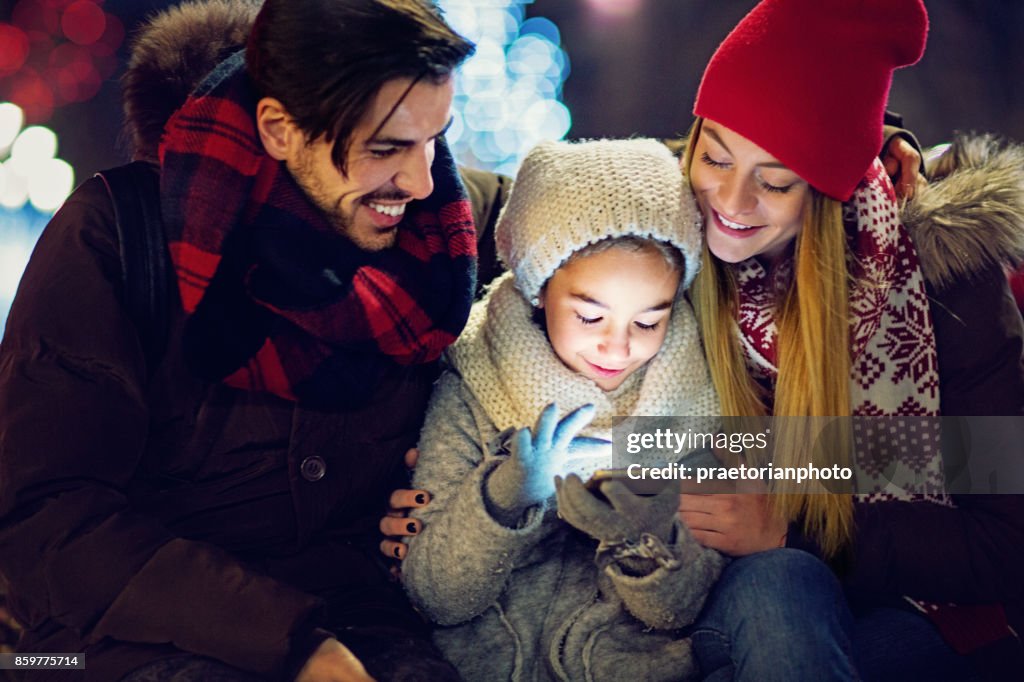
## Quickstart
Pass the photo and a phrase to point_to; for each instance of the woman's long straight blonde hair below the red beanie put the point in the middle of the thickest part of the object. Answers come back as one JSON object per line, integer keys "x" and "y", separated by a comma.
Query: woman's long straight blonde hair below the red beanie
{"x": 813, "y": 319}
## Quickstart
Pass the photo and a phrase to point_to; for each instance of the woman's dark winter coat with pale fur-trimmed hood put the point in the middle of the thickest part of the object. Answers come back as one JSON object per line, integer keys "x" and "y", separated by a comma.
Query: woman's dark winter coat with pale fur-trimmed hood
{"x": 966, "y": 227}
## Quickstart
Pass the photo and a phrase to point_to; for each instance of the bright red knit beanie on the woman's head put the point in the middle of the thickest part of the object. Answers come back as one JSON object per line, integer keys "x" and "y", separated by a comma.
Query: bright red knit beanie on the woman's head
{"x": 808, "y": 80}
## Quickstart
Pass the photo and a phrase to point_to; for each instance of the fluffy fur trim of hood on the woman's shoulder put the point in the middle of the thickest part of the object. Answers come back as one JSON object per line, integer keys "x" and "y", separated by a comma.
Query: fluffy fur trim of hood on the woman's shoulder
{"x": 971, "y": 216}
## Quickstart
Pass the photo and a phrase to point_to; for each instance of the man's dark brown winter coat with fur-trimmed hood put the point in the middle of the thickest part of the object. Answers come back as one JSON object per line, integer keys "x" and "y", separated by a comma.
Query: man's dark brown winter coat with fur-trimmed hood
{"x": 145, "y": 513}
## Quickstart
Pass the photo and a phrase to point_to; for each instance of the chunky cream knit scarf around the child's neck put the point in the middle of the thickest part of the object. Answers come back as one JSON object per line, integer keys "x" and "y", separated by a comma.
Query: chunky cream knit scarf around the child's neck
{"x": 509, "y": 366}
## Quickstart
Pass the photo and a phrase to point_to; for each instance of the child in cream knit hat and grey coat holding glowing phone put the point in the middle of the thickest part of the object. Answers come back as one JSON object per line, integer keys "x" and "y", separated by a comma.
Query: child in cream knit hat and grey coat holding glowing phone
{"x": 601, "y": 243}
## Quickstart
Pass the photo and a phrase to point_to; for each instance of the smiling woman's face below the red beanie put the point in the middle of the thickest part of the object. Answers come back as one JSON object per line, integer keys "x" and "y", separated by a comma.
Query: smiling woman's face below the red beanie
{"x": 753, "y": 205}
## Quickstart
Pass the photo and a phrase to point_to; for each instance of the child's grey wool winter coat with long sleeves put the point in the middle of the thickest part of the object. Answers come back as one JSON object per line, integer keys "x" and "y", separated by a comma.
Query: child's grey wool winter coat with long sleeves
{"x": 534, "y": 603}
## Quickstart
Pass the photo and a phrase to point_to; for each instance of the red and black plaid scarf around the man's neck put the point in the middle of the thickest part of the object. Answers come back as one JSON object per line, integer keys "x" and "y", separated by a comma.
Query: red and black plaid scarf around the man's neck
{"x": 277, "y": 300}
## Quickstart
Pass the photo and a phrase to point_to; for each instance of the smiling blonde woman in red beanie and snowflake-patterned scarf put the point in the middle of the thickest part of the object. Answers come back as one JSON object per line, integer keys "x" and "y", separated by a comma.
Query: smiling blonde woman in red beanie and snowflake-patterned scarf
{"x": 806, "y": 255}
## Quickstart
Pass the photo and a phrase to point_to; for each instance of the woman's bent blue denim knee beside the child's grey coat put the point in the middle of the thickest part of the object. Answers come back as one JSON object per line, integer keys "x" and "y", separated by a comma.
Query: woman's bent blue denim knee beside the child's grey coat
{"x": 779, "y": 615}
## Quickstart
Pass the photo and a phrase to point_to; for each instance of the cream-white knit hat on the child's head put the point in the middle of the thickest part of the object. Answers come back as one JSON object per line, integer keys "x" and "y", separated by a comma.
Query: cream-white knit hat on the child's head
{"x": 569, "y": 196}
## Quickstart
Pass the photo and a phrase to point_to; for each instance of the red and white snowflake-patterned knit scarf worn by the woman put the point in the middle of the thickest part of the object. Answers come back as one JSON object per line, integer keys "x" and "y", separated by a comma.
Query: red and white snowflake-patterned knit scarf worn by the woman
{"x": 894, "y": 365}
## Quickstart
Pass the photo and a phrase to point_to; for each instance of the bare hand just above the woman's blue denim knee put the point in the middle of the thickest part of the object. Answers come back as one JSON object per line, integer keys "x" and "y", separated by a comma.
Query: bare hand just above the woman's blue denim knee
{"x": 737, "y": 525}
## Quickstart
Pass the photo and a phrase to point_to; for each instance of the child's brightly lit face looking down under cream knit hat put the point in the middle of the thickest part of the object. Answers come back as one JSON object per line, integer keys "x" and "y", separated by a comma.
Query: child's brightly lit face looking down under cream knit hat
{"x": 608, "y": 313}
